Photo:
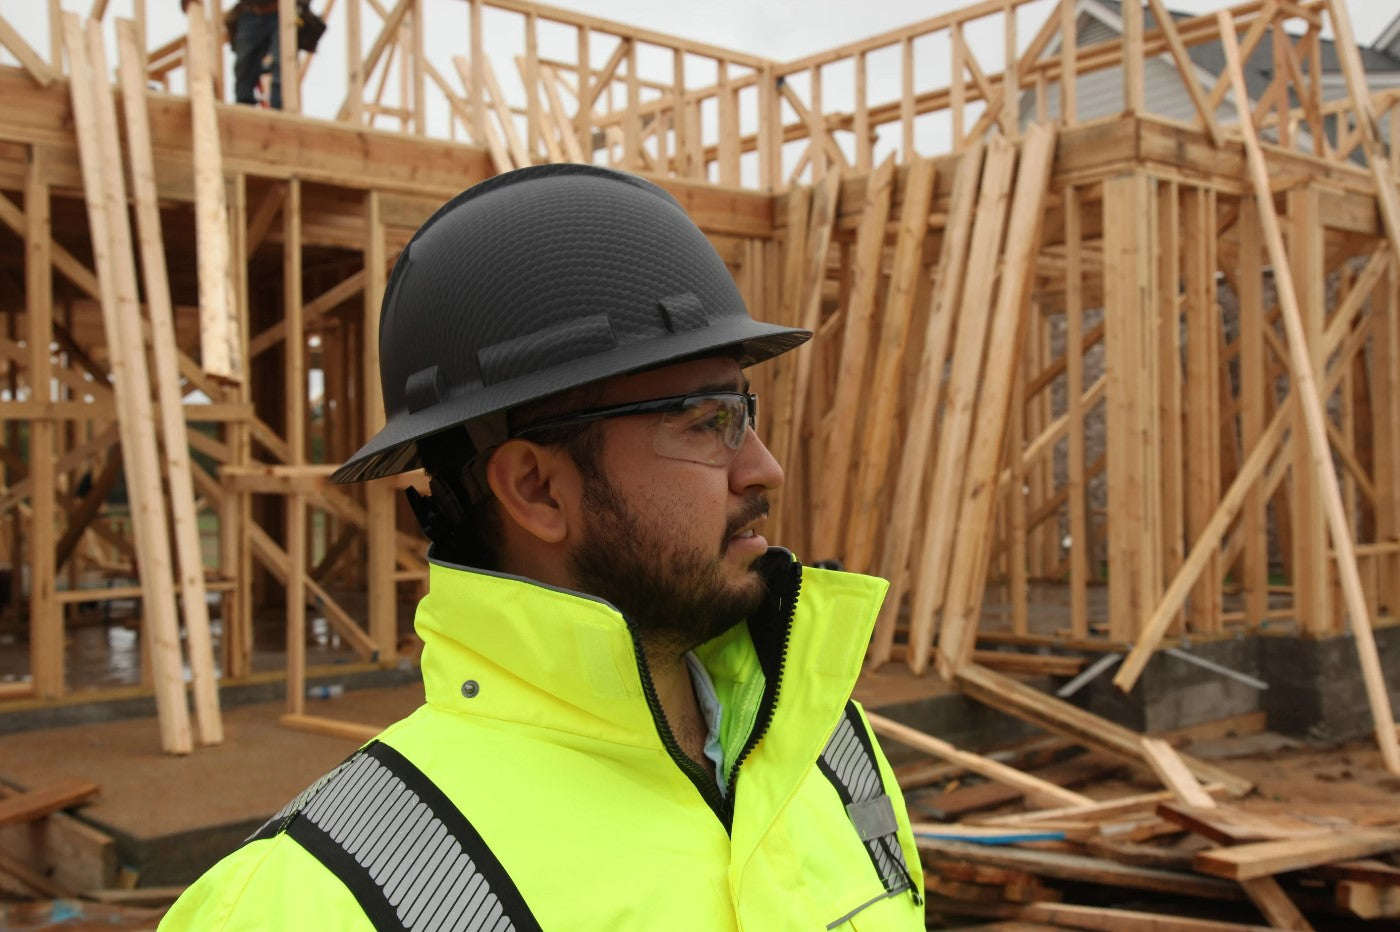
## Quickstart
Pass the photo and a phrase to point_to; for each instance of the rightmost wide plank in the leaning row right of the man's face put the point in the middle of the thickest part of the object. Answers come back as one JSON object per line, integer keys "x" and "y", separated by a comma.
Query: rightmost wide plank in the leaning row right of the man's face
{"x": 957, "y": 636}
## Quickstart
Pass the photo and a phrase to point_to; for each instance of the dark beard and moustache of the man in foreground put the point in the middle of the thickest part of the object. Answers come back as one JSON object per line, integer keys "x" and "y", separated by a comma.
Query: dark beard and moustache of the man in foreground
{"x": 677, "y": 600}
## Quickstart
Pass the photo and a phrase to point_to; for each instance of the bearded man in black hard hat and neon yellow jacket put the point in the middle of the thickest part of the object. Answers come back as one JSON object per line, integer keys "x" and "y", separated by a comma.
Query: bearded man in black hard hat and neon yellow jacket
{"x": 638, "y": 713}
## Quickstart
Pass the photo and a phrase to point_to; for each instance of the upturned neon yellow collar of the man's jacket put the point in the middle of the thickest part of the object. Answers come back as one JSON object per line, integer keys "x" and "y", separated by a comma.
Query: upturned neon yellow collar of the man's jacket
{"x": 568, "y": 663}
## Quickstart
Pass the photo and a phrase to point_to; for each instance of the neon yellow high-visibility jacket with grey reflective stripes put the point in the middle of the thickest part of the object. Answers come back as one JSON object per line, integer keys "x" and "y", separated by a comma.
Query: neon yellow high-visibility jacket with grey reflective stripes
{"x": 541, "y": 789}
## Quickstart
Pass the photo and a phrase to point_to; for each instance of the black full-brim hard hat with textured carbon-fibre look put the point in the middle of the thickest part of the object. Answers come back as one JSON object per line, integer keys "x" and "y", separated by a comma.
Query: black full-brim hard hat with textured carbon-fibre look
{"x": 538, "y": 282}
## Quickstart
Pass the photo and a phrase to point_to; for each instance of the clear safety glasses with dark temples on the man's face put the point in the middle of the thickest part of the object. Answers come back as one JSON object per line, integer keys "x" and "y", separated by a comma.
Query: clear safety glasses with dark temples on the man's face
{"x": 702, "y": 429}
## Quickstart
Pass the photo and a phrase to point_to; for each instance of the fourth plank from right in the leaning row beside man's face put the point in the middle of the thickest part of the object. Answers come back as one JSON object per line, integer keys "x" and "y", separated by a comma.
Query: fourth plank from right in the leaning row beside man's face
{"x": 878, "y": 414}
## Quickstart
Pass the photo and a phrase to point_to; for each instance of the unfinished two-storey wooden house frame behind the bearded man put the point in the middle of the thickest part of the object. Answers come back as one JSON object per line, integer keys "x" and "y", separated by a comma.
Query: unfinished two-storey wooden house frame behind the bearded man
{"x": 1044, "y": 356}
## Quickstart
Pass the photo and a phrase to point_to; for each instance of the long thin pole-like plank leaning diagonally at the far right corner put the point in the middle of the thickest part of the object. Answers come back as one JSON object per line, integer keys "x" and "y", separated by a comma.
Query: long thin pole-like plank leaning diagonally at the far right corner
{"x": 1303, "y": 374}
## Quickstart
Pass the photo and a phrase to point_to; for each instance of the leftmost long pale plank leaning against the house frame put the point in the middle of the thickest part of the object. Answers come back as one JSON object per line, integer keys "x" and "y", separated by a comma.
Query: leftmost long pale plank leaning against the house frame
{"x": 121, "y": 313}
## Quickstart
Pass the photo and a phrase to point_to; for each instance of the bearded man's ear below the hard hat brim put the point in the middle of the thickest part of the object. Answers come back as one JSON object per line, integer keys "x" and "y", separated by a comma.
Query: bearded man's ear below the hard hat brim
{"x": 534, "y": 486}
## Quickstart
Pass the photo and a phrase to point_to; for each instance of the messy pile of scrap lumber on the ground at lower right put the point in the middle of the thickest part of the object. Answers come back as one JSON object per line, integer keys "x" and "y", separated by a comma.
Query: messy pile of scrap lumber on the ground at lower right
{"x": 1191, "y": 859}
